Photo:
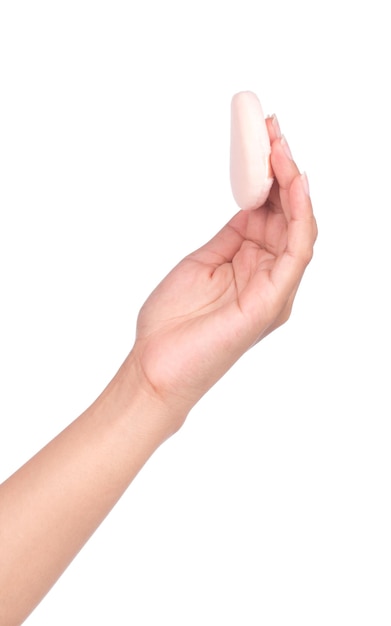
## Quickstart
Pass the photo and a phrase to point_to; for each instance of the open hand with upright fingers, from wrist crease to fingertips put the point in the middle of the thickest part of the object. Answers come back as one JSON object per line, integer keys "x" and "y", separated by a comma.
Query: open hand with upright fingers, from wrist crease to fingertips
{"x": 229, "y": 294}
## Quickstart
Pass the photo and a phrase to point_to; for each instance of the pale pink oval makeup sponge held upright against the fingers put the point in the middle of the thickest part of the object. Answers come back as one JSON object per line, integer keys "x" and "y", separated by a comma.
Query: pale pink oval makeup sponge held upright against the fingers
{"x": 250, "y": 169}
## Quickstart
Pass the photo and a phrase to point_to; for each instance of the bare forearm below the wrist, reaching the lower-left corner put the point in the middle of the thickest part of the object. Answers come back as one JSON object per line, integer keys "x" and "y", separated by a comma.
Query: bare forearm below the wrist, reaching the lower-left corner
{"x": 52, "y": 505}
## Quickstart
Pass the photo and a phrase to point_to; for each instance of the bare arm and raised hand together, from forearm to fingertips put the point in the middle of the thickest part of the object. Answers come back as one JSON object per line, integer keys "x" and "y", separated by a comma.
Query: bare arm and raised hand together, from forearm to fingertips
{"x": 212, "y": 307}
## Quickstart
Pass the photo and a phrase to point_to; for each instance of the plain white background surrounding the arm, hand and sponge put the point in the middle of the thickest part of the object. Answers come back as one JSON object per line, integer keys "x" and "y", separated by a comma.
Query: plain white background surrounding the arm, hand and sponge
{"x": 272, "y": 505}
